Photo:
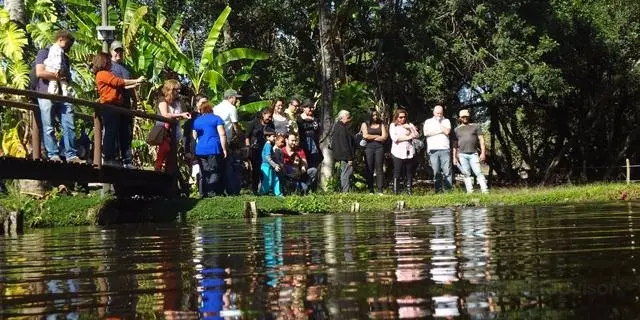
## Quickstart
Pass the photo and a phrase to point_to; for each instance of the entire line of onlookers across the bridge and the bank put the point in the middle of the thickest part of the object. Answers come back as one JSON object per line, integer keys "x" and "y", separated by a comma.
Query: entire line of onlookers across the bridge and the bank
{"x": 281, "y": 143}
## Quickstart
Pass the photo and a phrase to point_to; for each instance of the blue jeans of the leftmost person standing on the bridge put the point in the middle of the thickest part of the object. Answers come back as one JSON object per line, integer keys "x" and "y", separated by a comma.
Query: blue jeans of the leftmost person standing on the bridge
{"x": 64, "y": 111}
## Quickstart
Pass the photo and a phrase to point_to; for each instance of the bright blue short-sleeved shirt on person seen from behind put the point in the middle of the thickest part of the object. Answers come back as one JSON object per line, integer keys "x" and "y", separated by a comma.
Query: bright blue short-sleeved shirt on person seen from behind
{"x": 208, "y": 139}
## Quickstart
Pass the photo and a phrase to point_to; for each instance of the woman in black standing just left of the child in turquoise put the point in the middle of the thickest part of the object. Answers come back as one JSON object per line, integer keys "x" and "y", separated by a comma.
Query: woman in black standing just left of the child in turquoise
{"x": 255, "y": 140}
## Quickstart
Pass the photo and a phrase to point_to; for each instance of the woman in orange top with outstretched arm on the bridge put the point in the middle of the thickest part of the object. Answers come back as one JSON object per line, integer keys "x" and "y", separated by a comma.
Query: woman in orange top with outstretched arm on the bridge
{"x": 108, "y": 86}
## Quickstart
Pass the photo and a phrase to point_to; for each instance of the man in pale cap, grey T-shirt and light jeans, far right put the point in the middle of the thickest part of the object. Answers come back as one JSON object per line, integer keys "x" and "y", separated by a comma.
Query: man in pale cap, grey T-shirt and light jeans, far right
{"x": 466, "y": 155}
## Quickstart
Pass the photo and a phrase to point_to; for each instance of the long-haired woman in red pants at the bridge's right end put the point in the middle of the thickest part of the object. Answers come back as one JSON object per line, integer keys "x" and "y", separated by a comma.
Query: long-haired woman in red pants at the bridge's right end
{"x": 169, "y": 107}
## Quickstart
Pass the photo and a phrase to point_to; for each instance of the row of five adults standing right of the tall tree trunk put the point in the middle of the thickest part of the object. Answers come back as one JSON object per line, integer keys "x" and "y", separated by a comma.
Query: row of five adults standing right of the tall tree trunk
{"x": 465, "y": 143}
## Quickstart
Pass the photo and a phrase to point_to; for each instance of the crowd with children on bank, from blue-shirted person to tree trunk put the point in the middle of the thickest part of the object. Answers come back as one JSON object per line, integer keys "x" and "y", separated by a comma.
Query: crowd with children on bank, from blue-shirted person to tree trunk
{"x": 278, "y": 161}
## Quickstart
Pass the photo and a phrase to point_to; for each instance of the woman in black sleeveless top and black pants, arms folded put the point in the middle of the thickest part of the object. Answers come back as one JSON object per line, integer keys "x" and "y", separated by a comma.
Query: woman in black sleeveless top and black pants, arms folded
{"x": 375, "y": 134}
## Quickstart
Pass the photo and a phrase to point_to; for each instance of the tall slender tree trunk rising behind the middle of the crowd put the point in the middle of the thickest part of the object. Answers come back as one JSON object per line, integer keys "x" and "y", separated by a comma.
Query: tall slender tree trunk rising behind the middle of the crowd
{"x": 326, "y": 109}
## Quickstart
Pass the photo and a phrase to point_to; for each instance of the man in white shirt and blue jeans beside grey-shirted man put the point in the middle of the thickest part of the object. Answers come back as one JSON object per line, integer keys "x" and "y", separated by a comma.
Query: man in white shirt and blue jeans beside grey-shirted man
{"x": 437, "y": 131}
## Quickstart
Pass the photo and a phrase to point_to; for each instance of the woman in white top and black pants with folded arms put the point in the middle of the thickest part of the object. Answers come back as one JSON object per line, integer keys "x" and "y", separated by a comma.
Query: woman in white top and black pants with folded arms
{"x": 402, "y": 150}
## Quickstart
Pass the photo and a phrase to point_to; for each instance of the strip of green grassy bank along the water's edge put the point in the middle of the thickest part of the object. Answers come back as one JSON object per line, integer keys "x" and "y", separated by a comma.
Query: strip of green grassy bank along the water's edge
{"x": 65, "y": 210}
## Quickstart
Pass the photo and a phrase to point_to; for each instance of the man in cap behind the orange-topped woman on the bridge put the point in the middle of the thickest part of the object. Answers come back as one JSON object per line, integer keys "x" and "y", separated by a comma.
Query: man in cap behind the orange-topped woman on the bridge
{"x": 125, "y": 132}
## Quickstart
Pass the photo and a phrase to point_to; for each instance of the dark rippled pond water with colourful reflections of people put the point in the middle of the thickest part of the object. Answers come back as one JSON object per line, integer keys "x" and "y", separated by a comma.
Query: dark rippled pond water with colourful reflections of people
{"x": 561, "y": 262}
